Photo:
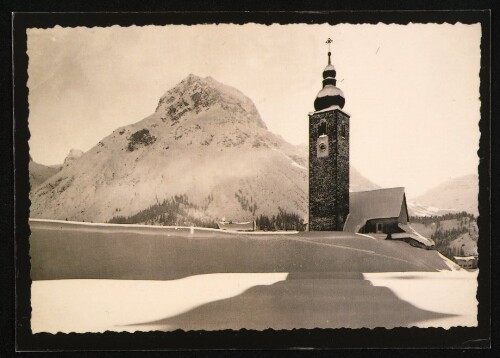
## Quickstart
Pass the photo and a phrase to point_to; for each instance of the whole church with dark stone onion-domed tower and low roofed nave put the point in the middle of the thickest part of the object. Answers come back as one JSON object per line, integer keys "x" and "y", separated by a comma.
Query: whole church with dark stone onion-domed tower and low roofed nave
{"x": 331, "y": 206}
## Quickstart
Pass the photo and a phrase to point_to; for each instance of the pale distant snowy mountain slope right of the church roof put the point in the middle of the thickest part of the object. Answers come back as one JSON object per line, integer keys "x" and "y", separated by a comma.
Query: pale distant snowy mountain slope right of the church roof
{"x": 454, "y": 195}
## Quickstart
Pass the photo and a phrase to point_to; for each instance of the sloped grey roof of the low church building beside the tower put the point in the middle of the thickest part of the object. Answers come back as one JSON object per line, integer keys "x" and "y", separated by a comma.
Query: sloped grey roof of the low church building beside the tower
{"x": 373, "y": 204}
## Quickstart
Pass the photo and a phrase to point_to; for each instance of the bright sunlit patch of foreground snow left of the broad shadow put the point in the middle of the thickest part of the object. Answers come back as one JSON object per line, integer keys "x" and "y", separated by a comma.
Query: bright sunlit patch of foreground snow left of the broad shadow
{"x": 101, "y": 305}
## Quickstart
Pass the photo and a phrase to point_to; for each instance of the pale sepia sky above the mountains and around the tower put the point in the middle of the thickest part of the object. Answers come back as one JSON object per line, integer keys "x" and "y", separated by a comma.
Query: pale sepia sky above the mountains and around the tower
{"x": 412, "y": 91}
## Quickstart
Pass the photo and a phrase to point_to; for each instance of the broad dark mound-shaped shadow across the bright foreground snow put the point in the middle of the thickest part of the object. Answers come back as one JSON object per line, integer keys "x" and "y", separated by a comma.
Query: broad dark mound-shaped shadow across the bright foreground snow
{"x": 303, "y": 300}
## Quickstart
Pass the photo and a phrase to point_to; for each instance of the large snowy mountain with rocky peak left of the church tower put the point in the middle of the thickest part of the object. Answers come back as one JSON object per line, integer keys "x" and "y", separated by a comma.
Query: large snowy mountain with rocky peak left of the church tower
{"x": 205, "y": 140}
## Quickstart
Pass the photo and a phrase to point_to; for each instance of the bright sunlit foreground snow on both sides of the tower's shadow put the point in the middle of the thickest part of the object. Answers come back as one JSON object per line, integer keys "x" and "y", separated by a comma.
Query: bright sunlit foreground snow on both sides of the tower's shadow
{"x": 122, "y": 305}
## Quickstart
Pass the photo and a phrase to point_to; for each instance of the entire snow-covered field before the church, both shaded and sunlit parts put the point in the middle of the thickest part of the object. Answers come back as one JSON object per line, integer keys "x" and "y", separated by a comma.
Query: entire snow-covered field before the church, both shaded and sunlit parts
{"x": 93, "y": 278}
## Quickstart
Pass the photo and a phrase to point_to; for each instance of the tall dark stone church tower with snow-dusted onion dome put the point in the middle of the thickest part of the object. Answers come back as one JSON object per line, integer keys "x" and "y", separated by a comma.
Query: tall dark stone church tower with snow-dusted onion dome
{"x": 328, "y": 156}
